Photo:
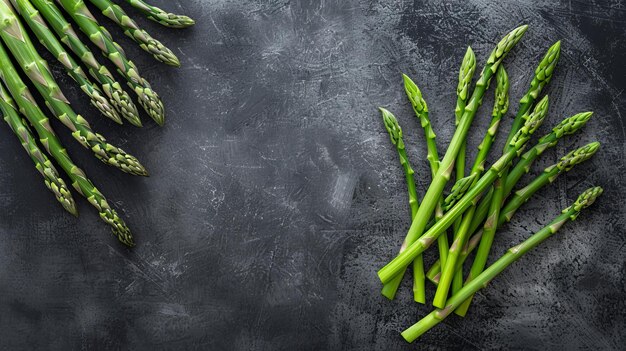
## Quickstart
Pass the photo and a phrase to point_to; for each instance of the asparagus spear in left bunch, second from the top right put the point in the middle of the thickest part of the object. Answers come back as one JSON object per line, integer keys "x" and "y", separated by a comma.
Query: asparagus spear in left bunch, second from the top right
{"x": 138, "y": 35}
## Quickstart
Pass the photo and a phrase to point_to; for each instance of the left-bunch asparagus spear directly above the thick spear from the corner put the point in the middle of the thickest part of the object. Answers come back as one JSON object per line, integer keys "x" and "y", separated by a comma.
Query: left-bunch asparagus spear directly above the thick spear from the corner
{"x": 49, "y": 41}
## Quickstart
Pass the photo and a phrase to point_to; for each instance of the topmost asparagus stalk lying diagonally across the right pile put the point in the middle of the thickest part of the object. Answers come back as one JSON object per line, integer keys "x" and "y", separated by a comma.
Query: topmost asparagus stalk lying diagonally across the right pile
{"x": 398, "y": 265}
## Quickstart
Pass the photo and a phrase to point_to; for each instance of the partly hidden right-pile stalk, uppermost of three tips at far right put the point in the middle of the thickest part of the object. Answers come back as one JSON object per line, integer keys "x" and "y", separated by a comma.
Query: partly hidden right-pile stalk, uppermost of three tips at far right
{"x": 567, "y": 126}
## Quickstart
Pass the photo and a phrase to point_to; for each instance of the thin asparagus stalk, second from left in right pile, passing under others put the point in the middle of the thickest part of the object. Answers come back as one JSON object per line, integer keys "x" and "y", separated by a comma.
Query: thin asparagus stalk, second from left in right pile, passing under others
{"x": 421, "y": 111}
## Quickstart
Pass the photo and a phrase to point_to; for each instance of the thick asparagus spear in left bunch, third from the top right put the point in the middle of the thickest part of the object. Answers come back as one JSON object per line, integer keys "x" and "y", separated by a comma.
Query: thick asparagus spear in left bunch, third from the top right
{"x": 148, "y": 99}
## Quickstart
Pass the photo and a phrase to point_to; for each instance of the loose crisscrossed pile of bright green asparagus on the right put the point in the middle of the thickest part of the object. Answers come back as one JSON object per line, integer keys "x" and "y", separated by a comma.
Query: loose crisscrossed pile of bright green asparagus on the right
{"x": 483, "y": 198}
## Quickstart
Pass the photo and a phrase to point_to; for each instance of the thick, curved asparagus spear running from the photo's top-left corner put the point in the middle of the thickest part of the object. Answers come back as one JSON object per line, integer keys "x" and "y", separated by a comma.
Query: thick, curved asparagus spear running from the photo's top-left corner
{"x": 36, "y": 69}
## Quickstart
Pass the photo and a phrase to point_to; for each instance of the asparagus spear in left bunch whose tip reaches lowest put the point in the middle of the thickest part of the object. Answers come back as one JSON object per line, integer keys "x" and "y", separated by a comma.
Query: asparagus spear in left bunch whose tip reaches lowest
{"x": 53, "y": 146}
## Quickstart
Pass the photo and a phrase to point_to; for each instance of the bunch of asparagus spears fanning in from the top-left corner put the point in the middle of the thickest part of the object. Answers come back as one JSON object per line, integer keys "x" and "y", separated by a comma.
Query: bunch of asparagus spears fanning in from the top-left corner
{"x": 47, "y": 22}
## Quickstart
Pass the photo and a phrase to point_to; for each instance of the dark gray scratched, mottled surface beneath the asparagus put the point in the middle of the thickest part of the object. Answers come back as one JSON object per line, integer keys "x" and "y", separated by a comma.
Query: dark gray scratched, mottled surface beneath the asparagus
{"x": 275, "y": 196}
